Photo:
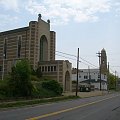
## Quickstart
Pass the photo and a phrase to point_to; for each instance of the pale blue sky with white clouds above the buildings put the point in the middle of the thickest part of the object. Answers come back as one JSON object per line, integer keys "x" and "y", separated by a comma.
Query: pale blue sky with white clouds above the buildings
{"x": 89, "y": 25}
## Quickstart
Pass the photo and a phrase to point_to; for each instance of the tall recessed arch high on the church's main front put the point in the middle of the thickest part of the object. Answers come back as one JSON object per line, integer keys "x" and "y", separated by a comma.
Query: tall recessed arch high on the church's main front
{"x": 43, "y": 48}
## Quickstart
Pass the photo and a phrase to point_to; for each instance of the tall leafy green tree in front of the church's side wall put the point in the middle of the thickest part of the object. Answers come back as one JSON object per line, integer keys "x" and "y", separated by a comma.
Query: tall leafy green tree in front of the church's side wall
{"x": 20, "y": 82}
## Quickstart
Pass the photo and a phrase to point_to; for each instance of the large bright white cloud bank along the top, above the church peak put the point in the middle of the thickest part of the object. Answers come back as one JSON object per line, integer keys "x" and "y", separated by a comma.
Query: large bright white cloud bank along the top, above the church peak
{"x": 63, "y": 11}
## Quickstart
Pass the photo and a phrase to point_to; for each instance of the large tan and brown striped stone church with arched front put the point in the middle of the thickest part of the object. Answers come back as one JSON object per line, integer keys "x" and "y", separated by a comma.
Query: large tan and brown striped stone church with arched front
{"x": 37, "y": 43}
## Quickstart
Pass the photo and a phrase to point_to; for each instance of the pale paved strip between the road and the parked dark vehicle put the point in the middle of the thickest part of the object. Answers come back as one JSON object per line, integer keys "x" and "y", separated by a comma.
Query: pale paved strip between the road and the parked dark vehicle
{"x": 86, "y": 94}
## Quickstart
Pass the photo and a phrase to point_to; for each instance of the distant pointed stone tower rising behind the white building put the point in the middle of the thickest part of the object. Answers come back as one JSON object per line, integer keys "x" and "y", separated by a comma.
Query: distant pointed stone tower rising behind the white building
{"x": 103, "y": 61}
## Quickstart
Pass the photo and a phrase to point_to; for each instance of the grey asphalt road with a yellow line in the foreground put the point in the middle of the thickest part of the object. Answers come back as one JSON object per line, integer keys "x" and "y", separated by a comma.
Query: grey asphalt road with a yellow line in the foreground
{"x": 95, "y": 108}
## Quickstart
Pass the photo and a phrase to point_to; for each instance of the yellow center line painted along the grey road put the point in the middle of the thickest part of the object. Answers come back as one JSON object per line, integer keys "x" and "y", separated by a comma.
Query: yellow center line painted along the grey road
{"x": 69, "y": 109}
